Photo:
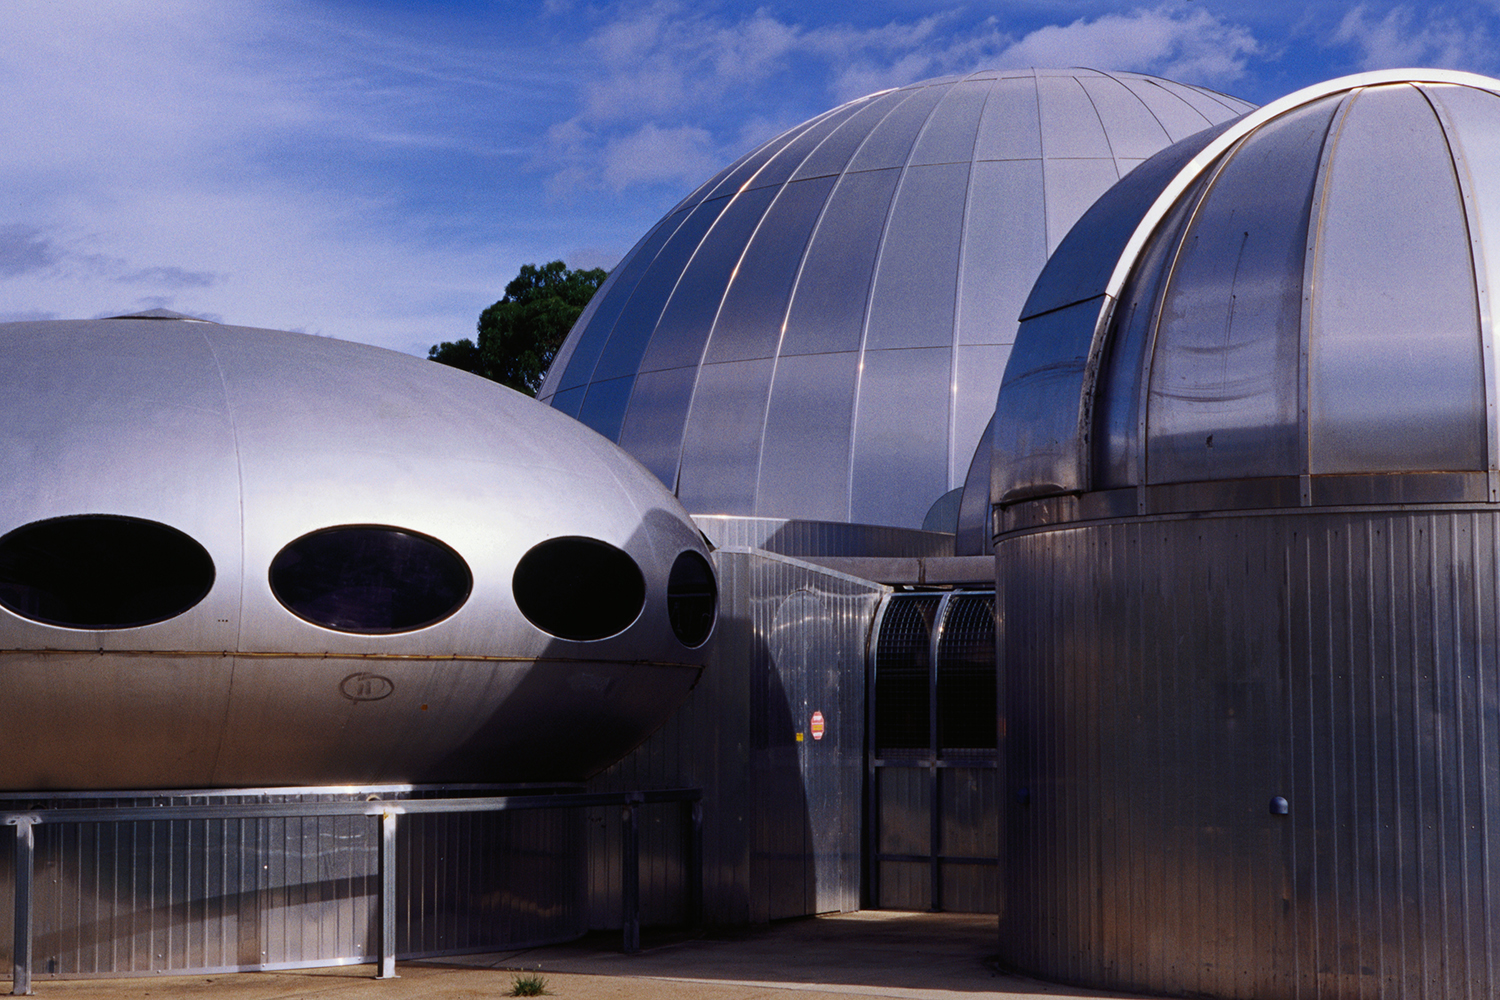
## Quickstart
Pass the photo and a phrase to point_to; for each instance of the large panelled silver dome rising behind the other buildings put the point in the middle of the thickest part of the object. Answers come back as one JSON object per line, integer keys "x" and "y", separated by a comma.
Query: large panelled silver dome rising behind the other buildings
{"x": 820, "y": 331}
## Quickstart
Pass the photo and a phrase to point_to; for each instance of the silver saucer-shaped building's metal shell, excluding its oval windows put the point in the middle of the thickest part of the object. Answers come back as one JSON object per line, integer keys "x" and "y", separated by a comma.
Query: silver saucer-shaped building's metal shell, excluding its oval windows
{"x": 248, "y": 440}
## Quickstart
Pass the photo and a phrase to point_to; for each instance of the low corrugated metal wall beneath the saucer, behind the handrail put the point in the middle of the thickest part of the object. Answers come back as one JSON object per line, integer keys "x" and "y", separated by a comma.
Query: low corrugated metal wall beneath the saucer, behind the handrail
{"x": 241, "y": 894}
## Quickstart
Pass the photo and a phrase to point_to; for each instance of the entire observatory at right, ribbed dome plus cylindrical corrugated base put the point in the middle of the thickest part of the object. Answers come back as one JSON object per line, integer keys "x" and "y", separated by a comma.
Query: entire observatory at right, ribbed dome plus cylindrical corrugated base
{"x": 1247, "y": 513}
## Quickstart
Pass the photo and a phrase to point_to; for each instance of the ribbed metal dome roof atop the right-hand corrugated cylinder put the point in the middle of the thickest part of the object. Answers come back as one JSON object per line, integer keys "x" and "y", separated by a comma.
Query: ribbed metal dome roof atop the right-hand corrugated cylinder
{"x": 1298, "y": 305}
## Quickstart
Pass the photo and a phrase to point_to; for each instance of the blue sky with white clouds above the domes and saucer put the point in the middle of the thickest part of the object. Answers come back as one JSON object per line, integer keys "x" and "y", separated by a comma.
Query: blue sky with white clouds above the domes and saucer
{"x": 377, "y": 172}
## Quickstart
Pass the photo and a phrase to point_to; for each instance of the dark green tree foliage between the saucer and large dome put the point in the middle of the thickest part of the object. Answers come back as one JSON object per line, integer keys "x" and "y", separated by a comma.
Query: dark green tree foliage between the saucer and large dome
{"x": 520, "y": 335}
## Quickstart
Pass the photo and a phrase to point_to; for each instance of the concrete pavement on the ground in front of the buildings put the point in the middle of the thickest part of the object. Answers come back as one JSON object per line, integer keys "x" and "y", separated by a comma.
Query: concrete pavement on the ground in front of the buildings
{"x": 872, "y": 954}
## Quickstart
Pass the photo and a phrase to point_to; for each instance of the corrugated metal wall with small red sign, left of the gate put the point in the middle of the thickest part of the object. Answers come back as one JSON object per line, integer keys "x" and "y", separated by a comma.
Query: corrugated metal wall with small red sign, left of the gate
{"x": 782, "y": 810}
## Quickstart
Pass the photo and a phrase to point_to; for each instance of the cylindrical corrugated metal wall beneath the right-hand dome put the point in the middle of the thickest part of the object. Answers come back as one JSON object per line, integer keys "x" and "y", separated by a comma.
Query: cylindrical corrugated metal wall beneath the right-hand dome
{"x": 1166, "y": 680}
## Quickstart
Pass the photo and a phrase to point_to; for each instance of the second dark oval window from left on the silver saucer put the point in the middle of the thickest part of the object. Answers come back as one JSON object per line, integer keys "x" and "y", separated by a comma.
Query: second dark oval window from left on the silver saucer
{"x": 370, "y": 579}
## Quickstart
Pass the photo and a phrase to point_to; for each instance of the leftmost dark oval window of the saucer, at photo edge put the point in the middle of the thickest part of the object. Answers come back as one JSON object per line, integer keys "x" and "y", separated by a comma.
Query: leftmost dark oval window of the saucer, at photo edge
{"x": 101, "y": 572}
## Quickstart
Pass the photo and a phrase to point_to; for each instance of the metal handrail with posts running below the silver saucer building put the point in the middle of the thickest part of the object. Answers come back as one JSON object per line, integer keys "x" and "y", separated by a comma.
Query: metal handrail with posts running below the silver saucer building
{"x": 386, "y": 813}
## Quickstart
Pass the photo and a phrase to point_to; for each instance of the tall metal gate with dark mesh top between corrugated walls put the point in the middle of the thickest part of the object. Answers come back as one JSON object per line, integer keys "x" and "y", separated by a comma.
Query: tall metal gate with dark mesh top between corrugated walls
{"x": 934, "y": 824}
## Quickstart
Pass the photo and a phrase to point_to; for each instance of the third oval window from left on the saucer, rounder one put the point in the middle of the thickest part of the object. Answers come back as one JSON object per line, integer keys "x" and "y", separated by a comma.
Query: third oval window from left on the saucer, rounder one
{"x": 580, "y": 588}
